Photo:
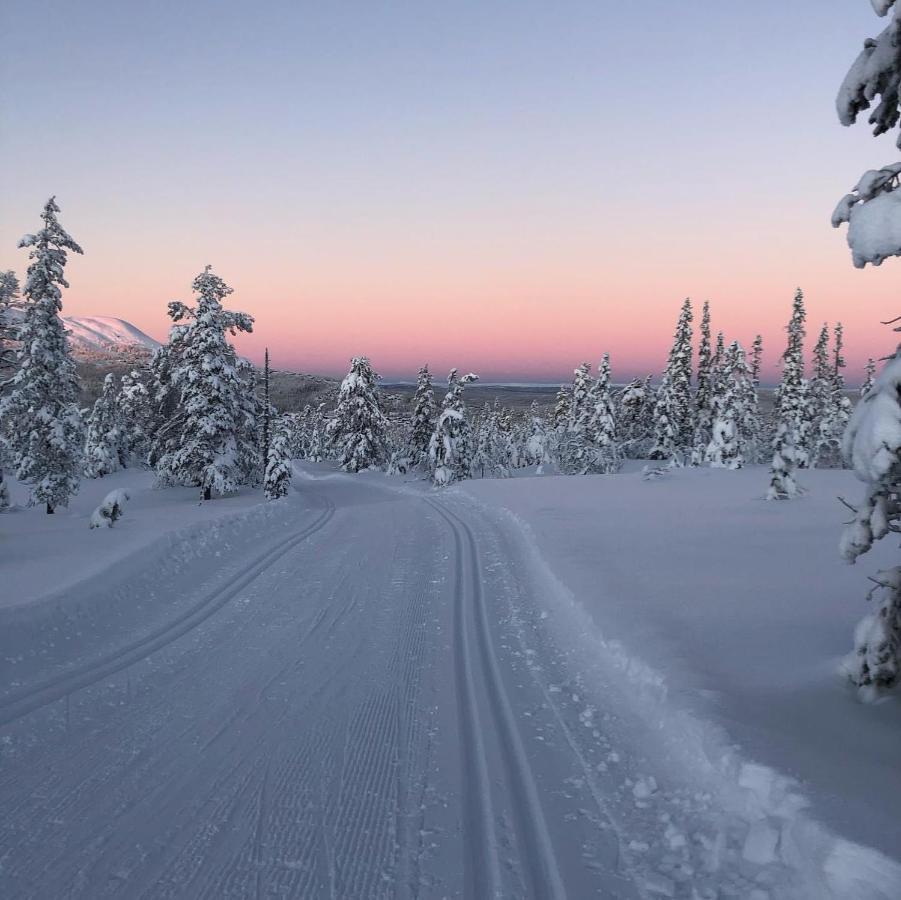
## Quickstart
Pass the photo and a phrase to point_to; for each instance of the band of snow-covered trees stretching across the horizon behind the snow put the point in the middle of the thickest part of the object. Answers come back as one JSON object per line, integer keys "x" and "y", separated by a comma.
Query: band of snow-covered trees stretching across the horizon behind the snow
{"x": 197, "y": 414}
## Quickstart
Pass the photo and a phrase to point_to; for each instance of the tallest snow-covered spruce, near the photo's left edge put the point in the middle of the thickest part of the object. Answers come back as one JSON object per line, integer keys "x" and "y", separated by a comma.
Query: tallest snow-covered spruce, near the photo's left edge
{"x": 40, "y": 423}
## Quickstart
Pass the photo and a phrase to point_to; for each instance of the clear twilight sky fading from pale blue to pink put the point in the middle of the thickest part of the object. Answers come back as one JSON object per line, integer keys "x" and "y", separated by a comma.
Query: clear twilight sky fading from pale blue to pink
{"x": 506, "y": 187}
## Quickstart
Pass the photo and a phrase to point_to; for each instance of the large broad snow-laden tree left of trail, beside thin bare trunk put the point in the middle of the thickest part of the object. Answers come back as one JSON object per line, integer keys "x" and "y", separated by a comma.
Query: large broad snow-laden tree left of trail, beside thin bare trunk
{"x": 211, "y": 439}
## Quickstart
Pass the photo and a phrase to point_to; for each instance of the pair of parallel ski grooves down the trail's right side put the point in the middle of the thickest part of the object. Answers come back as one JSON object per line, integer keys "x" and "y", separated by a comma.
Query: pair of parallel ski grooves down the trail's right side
{"x": 537, "y": 849}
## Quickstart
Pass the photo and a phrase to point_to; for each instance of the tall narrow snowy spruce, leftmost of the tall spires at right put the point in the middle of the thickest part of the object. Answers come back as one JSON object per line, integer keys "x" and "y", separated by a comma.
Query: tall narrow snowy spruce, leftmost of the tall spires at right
{"x": 673, "y": 414}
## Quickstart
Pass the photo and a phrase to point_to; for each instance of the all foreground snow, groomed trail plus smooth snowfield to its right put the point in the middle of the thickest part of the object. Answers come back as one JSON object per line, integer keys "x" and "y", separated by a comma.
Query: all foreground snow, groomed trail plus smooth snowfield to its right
{"x": 544, "y": 687}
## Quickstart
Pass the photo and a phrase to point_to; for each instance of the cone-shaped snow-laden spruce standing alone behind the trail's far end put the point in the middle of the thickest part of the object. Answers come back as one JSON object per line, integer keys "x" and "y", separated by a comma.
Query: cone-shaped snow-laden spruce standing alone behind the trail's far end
{"x": 358, "y": 426}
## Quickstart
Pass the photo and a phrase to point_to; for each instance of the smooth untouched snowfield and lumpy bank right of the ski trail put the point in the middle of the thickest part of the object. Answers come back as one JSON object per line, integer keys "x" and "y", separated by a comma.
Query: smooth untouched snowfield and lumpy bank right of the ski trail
{"x": 722, "y": 619}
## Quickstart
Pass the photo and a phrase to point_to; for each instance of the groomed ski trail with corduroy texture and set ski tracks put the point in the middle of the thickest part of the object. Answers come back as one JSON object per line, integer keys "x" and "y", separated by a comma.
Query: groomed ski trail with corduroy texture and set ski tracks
{"x": 364, "y": 702}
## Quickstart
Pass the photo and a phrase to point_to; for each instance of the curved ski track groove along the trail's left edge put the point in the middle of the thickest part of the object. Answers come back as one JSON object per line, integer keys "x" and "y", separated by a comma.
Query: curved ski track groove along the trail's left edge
{"x": 15, "y": 706}
